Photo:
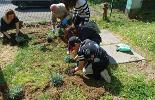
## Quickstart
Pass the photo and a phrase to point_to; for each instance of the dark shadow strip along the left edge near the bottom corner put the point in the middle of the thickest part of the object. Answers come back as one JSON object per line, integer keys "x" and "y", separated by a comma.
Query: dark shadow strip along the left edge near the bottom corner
{"x": 3, "y": 86}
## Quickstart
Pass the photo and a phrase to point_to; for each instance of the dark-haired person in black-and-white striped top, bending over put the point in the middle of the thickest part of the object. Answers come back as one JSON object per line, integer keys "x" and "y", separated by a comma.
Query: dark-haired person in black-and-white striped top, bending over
{"x": 81, "y": 11}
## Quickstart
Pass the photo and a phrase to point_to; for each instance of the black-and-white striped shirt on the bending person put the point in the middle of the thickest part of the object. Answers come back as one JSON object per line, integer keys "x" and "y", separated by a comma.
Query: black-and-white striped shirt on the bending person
{"x": 82, "y": 9}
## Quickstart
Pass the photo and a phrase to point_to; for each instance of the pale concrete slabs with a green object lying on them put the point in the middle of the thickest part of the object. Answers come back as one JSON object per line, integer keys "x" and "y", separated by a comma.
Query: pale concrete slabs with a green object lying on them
{"x": 109, "y": 43}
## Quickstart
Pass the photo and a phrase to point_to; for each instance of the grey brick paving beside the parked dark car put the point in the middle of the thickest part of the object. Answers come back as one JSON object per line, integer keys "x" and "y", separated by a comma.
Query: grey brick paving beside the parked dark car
{"x": 28, "y": 15}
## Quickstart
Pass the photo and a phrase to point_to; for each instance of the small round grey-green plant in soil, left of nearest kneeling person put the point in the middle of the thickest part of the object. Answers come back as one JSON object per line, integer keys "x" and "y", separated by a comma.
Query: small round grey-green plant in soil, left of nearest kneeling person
{"x": 57, "y": 79}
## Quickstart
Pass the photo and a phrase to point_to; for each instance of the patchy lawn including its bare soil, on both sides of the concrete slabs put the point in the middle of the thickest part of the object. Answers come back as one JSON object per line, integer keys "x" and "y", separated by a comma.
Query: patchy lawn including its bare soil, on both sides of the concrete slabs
{"x": 29, "y": 71}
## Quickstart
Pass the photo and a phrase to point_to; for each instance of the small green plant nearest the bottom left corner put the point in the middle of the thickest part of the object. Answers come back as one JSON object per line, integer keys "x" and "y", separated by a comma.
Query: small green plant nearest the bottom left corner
{"x": 15, "y": 93}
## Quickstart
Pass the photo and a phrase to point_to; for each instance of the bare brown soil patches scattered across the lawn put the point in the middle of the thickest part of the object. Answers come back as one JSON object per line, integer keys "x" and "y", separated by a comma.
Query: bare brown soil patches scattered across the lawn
{"x": 93, "y": 89}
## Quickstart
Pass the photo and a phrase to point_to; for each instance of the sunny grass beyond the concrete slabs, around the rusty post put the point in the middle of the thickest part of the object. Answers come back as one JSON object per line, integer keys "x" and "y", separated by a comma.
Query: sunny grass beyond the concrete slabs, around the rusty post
{"x": 140, "y": 32}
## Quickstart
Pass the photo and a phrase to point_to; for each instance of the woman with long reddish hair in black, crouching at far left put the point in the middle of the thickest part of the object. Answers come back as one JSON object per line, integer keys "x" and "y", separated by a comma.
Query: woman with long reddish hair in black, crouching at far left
{"x": 9, "y": 21}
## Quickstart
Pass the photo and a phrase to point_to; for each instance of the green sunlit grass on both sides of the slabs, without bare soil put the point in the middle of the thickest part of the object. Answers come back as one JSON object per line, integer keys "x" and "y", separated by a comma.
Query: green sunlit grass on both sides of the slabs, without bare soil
{"x": 32, "y": 65}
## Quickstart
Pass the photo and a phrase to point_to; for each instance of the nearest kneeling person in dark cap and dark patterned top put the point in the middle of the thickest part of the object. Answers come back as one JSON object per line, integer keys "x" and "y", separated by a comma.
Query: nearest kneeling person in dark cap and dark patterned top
{"x": 90, "y": 57}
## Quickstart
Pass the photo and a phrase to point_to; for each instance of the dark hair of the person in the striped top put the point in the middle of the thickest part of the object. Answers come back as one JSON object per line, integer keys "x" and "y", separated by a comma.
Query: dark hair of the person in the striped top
{"x": 70, "y": 4}
